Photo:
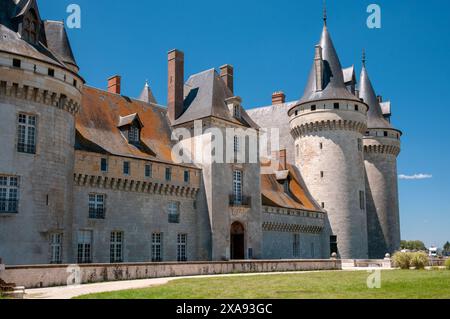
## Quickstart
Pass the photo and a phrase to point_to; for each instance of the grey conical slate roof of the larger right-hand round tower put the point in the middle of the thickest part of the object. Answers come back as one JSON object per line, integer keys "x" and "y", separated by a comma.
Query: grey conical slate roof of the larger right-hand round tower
{"x": 333, "y": 78}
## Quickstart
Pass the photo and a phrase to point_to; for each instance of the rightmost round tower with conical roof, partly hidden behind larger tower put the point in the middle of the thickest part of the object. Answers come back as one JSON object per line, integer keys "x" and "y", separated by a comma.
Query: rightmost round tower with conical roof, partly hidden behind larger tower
{"x": 381, "y": 148}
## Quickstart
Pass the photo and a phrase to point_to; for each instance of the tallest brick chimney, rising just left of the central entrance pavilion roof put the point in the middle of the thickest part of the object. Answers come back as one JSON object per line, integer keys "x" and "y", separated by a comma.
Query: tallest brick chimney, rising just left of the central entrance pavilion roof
{"x": 175, "y": 86}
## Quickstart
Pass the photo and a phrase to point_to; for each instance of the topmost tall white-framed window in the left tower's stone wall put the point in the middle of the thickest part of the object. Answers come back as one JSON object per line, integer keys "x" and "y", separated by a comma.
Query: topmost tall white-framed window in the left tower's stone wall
{"x": 26, "y": 134}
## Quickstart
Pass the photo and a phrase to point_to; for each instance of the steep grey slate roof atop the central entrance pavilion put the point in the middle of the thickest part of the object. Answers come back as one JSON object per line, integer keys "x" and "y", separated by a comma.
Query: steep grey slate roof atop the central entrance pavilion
{"x": 205, "y": 94}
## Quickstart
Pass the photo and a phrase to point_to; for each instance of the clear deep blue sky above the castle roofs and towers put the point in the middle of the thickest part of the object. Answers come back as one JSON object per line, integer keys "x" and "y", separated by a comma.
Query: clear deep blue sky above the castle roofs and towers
{"x": 270, "y": 44}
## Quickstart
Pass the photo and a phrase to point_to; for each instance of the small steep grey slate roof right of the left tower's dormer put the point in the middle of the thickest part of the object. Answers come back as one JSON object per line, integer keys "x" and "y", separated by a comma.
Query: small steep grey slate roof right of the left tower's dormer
{"x": 58, "y": 41}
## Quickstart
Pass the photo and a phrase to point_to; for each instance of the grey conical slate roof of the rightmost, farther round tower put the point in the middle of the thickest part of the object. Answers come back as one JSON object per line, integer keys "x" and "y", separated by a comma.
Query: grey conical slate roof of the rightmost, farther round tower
{"x": 375, "y": 118}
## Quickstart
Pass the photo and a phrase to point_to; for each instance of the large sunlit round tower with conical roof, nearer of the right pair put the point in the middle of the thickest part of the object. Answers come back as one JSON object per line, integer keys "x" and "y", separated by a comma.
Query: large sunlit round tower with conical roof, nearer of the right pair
{"x": 328, "y": 124}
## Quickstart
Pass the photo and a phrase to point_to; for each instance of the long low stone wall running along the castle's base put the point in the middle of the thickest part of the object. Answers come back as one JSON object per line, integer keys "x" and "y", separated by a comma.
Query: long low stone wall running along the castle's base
{"x": 58, "y": 275}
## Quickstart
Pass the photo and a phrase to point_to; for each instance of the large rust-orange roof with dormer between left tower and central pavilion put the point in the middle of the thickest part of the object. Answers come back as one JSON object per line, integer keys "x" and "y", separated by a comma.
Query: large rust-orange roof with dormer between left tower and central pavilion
{"x": 98, "y": 131}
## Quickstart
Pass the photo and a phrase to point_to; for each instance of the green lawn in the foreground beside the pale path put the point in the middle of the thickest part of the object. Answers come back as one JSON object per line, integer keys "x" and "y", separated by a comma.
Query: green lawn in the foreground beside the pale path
{"x": 403, "y": 284}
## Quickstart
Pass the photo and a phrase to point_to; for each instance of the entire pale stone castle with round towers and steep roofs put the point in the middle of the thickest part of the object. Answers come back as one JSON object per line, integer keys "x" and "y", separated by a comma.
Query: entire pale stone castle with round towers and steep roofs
{"x": 88, "y": 176}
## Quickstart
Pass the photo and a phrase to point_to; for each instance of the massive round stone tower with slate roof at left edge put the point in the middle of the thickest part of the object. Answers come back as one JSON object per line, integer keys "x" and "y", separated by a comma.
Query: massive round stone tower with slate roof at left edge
{"x": 40, "y": 93}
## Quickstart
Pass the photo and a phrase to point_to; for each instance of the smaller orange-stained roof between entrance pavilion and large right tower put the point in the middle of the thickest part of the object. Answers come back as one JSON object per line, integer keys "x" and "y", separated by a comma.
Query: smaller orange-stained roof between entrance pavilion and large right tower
{"x": 273, "y": 193}
